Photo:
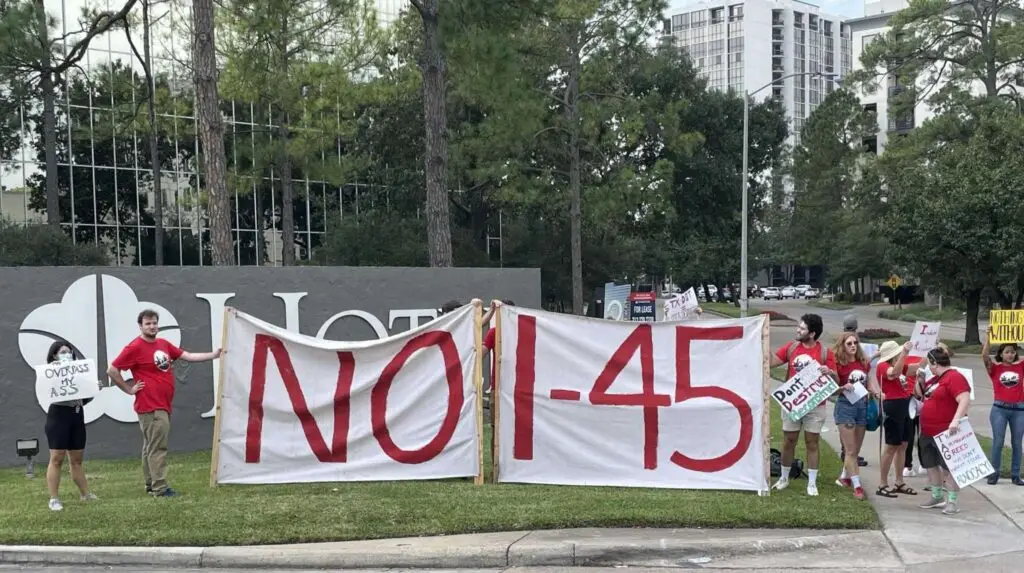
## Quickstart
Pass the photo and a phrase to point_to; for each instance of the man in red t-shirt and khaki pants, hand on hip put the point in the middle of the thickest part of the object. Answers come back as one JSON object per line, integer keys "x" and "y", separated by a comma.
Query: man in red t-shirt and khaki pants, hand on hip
{"x": 150, "y": 361}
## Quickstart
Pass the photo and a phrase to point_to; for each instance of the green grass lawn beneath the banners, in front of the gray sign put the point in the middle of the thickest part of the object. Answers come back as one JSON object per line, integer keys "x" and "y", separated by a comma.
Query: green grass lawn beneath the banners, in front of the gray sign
{"x": 285, "y": 514}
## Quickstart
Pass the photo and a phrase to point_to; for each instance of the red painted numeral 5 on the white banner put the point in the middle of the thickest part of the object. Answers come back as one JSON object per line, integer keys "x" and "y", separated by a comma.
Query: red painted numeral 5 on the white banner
{"x": 687, "y": 391}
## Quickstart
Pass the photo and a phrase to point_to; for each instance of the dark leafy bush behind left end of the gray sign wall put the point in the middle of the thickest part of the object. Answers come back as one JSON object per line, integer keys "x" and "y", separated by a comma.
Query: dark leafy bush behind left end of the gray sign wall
{"x": 40, "y": 246}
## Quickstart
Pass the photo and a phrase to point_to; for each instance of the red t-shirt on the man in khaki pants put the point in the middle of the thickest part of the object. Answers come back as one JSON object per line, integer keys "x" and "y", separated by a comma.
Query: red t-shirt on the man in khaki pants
{"x": 150, "y": 363}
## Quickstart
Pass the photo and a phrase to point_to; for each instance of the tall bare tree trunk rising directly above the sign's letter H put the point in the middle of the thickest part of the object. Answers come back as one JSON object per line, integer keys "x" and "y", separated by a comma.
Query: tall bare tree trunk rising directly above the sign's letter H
{"x": 211, "y": 129}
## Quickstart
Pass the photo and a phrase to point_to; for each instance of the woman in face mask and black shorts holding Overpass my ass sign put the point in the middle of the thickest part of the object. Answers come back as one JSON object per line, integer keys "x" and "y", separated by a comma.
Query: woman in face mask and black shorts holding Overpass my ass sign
{"x": 66, "y": 434}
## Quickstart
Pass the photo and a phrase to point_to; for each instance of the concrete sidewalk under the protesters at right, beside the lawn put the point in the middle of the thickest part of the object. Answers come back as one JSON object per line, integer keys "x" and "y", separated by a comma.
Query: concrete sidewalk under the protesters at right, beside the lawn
{"x": 991, "y": 523}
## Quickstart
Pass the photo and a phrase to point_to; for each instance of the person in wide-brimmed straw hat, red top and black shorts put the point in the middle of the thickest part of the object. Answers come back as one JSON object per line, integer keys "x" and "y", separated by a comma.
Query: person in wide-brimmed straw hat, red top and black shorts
{"x": 892, "y": 373}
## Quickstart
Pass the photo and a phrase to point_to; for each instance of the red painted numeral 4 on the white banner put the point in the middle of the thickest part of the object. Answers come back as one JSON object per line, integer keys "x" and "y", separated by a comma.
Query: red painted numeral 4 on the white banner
{"x": 639, "y": 340}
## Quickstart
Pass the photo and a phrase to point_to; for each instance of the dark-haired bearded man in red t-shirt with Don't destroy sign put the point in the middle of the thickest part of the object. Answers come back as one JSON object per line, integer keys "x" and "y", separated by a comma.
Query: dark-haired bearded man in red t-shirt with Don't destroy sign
{"x": 798, "y": 355}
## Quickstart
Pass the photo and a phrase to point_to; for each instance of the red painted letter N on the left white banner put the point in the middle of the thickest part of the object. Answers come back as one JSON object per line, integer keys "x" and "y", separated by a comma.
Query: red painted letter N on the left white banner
{"x": 254, "y": 431}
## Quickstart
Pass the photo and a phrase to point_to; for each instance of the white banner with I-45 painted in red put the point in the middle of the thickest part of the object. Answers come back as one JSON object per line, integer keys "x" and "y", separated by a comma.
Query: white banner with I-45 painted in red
{"x": 584, "y": 402}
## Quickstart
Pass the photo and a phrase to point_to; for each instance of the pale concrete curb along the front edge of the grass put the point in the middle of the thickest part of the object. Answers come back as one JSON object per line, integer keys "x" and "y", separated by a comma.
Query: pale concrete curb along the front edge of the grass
{"x": 542, "y": 549}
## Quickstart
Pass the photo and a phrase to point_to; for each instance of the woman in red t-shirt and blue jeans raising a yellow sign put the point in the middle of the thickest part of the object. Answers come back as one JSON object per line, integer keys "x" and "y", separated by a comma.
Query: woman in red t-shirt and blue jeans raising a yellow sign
{"x": 1006, "y": 371}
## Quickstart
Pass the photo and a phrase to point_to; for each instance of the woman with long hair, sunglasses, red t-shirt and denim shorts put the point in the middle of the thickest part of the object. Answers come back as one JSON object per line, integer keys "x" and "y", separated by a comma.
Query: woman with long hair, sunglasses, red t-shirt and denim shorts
{"x": 851, "y": 407}
